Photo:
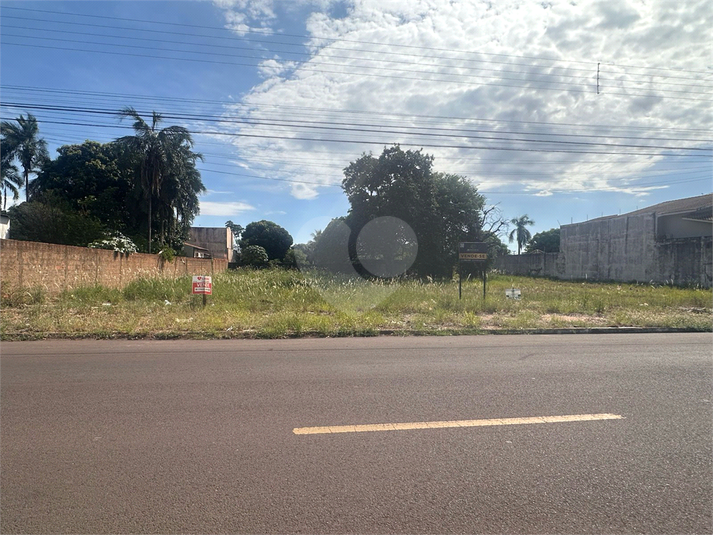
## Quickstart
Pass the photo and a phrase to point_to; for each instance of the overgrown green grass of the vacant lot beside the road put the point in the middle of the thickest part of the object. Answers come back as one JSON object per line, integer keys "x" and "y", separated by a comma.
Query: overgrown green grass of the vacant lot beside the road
{"x": 276, "y": 303}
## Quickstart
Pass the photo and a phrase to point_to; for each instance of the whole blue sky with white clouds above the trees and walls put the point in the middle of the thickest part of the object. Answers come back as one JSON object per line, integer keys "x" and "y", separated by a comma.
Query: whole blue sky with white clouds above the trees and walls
{"x": 561, "y": 110}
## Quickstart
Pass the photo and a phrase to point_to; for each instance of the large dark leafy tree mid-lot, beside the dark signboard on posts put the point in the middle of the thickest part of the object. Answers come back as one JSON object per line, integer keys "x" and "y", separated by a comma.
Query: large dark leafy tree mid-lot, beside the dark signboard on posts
{"x": 442, "y": 209}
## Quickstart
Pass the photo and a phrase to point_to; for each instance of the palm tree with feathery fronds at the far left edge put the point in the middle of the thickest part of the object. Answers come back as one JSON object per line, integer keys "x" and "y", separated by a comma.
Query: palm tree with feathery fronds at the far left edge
{"x": 20, "y": 141}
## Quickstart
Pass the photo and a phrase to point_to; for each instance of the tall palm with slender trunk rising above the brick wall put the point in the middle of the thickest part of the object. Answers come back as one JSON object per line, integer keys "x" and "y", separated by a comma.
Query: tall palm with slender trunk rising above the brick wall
{"x": 157, "y": 149}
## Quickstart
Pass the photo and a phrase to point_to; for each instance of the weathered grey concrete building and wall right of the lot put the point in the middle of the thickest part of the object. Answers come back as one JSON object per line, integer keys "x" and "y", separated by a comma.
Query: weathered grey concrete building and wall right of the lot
{"x": 670, "y": 242}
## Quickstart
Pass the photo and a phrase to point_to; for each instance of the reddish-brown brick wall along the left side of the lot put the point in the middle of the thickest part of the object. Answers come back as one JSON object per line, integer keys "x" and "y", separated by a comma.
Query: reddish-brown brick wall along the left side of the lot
{"x": 59, "y": 267}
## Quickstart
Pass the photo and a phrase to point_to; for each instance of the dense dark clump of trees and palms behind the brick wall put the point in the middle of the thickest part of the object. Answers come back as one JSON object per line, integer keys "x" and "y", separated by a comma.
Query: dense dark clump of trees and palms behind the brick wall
{"x": 143, "y": 187}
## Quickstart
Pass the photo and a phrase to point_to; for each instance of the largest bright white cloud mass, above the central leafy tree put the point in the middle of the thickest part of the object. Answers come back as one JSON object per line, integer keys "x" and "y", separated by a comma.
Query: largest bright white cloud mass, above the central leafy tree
{"x": 463, "y": 78}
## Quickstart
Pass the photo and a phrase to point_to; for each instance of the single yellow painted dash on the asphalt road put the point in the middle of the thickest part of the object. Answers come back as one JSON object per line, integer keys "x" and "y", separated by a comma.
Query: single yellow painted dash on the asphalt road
{"x": 453, "y": 423}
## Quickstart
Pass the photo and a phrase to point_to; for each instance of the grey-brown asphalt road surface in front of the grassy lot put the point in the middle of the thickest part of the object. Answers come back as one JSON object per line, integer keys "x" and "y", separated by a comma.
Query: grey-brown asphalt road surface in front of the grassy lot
{"x": 197, "y": 436}
